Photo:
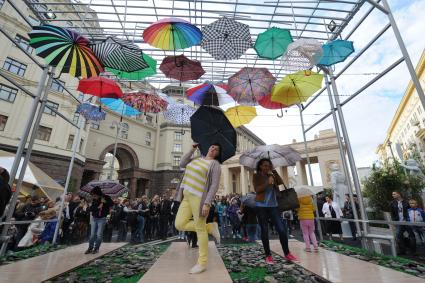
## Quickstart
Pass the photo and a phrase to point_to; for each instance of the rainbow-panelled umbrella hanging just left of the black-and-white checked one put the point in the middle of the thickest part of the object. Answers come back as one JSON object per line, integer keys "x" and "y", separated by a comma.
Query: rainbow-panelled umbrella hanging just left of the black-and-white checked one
{"x": 172, "y": 34}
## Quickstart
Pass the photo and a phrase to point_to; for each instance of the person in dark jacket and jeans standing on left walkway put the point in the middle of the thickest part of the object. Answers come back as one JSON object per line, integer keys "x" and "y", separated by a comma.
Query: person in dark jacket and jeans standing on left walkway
{"x": 100, "y": 207}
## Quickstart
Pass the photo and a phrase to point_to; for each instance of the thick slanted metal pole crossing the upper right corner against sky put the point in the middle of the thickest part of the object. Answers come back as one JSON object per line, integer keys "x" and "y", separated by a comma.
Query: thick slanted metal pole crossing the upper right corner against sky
{"x": 406, "y": 56}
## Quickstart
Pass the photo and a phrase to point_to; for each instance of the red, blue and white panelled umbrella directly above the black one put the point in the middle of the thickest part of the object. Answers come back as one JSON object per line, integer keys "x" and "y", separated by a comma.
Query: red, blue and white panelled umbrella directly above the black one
{"x": 209, "y": 94}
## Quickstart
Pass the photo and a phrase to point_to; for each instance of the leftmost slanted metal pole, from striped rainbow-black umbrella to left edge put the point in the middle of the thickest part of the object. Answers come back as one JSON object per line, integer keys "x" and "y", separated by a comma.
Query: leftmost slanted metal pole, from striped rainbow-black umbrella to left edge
{"x": 25, "y": 162}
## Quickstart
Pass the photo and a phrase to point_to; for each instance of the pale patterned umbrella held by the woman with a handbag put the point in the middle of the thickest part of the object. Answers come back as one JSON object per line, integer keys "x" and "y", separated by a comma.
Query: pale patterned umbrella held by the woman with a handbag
{"x": 280, "y": 155}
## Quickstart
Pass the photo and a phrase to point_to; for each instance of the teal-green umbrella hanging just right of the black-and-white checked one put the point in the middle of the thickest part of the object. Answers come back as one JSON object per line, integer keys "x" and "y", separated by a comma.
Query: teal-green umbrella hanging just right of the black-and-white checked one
{"x": 272, "y": 43}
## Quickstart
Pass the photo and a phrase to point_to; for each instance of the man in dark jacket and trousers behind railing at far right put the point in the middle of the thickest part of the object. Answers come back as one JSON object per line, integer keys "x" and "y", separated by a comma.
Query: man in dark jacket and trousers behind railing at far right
{"x": 399, "y": 208}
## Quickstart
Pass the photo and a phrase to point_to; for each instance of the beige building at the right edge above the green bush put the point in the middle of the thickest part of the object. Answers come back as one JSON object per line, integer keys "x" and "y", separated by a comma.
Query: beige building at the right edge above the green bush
{"x": 406, "y": 133}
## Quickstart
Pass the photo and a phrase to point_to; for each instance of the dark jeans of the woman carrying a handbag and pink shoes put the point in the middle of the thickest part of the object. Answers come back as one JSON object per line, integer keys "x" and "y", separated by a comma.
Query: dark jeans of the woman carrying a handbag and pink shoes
{"x": 272, "y": 213}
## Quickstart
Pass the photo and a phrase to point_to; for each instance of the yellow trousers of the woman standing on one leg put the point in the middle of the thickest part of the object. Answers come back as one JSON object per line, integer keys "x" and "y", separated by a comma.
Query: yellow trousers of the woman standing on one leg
{"x": 189, "y": 207}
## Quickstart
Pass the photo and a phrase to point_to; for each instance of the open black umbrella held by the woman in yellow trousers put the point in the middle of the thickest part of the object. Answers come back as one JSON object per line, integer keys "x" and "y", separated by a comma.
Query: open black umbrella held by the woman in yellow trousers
{"x": 209, "y": 125}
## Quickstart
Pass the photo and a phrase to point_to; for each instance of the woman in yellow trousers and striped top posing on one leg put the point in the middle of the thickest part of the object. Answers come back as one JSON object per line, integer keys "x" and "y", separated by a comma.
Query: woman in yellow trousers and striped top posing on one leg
{"x": 197, "y": 190}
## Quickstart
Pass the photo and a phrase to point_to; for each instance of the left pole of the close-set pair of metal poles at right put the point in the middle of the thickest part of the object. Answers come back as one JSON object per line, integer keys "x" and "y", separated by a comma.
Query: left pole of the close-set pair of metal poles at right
{"x": 342, "y": 155}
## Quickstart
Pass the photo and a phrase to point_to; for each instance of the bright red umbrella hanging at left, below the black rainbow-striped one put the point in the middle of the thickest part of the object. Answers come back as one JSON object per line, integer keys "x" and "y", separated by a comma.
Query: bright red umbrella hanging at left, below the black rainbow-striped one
{"x": 100, "y": 87}
